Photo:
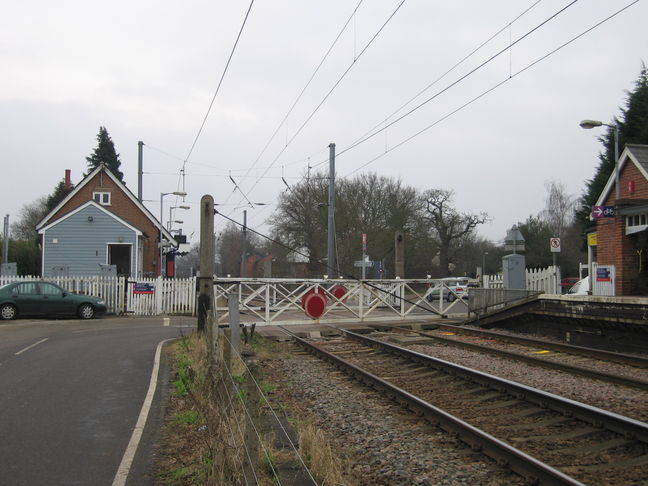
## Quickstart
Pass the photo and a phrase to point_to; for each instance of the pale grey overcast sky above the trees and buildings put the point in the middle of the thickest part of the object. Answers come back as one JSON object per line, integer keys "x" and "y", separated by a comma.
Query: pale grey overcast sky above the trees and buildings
{"x": 147, "y": 70}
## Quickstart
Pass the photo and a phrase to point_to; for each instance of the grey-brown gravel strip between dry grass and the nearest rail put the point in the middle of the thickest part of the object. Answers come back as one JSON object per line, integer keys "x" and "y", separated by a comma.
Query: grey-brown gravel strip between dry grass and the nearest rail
{"x": 386, "y": 444}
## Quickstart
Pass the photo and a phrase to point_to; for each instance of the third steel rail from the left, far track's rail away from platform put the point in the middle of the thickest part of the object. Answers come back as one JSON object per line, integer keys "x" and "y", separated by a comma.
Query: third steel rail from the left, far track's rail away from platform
{"x": 573, "y": 369}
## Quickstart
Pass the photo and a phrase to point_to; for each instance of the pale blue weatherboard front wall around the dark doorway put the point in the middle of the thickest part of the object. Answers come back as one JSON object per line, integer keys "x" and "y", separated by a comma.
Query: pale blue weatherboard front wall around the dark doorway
{"x": 82, "y": 244}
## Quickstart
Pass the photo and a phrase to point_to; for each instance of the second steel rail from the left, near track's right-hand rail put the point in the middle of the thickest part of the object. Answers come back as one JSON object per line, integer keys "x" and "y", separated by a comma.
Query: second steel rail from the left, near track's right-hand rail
{"x": 628, "y": 427}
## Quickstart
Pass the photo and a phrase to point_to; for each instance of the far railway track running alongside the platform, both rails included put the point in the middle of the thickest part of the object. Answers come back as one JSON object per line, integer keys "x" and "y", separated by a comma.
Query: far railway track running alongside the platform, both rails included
{"x": 560, "y": 358}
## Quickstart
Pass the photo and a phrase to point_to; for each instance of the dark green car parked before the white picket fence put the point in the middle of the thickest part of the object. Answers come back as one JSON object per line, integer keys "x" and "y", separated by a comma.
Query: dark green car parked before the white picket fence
{"x": 38, "y": 298}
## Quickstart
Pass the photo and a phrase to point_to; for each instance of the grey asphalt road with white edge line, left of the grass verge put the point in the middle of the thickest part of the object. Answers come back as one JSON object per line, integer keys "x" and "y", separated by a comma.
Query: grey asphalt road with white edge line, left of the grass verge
{"x": 70, "y": 395}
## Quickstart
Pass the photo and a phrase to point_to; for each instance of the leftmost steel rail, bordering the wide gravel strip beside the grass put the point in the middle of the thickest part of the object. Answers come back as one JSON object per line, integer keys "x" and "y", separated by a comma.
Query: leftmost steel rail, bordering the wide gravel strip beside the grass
{"x": 535, "y": 471}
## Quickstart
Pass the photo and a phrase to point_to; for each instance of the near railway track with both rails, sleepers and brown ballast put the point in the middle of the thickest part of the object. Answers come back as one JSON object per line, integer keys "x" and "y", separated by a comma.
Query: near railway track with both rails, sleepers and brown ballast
{"x": 543, "y": 437}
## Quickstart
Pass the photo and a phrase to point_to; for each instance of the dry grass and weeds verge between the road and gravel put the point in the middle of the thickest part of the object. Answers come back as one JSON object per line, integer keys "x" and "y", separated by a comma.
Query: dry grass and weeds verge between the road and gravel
{"x": 207, "y": 432}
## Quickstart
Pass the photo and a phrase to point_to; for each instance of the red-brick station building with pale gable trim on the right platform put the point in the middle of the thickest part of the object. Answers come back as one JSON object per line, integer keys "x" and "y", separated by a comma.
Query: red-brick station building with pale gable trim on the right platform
{"x": 622, "y": 240}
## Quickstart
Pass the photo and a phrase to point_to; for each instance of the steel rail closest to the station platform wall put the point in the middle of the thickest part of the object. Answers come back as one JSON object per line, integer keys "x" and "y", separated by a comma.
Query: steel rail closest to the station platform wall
{"x": 621, "y": 358}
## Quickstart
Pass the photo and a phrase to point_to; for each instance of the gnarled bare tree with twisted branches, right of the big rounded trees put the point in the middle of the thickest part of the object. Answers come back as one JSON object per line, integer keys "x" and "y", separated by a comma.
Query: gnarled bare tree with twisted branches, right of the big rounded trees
{"x": 449, "y": 227}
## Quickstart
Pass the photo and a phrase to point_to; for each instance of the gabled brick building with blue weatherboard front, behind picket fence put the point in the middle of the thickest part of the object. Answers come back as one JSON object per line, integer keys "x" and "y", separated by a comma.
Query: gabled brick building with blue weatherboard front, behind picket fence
{"x": 101, "y": 224}
